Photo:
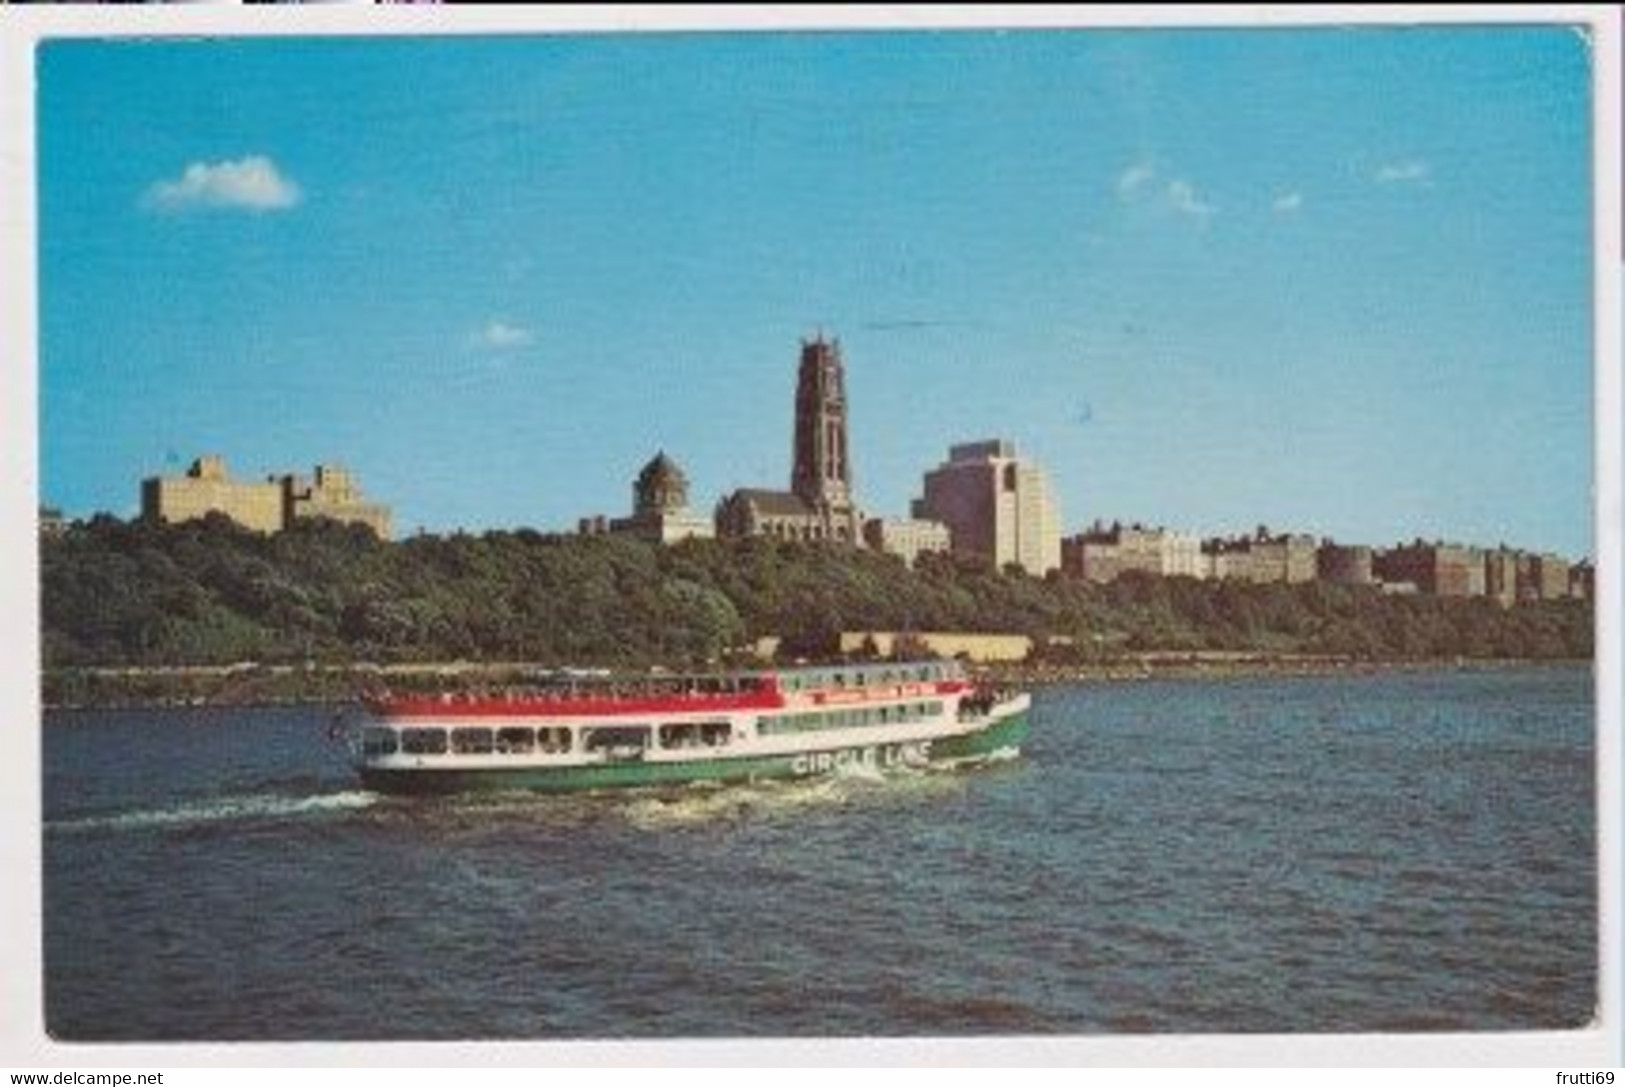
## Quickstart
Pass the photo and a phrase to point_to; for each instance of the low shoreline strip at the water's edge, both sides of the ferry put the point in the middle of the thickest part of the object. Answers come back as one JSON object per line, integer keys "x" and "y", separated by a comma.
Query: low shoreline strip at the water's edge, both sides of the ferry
{"x": 227, "y": 686}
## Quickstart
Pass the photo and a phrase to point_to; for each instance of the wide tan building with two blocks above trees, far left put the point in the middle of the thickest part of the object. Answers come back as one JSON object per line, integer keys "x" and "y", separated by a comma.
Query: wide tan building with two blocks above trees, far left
{"x": 272, "y": 506}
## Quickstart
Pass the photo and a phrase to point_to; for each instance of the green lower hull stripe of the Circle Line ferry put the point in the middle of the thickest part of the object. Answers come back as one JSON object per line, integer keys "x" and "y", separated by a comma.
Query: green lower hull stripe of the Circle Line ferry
{"x": 1008, "y": 734}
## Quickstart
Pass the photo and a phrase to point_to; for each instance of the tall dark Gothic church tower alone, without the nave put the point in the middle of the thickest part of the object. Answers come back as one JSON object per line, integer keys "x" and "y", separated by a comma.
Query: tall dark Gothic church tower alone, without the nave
{"x": 823, "y": 474}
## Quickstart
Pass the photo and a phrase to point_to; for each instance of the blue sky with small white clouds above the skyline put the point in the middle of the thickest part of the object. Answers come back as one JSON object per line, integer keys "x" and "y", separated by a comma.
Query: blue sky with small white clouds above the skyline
{"x": 1335, "y": 282}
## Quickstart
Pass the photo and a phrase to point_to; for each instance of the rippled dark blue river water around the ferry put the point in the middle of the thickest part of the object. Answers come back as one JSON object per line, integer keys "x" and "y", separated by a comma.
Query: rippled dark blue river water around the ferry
{"x": 1410, "y": 852}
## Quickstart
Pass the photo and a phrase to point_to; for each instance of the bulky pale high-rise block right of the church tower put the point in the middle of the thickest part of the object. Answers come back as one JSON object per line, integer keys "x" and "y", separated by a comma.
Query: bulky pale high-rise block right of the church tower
{"x": 997, "y": 506}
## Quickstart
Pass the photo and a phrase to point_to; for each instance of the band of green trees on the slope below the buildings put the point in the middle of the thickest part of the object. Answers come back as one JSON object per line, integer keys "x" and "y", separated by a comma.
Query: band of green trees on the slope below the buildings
{"x": 209, "y": 592}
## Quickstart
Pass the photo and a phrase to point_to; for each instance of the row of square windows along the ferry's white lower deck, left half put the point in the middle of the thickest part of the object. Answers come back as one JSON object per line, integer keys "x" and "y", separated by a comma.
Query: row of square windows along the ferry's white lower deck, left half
{"x": 548, "y": 742}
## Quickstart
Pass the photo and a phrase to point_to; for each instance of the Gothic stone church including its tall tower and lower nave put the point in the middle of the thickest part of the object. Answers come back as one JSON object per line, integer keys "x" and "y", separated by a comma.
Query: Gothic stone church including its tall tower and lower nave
{"x": 820, "y": 503}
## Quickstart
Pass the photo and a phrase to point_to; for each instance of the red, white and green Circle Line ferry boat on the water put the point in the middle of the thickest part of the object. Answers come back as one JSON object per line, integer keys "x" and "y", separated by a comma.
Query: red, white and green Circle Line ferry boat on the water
{"x": 573, "y": 734}
